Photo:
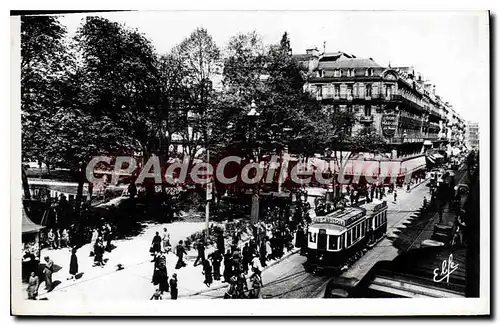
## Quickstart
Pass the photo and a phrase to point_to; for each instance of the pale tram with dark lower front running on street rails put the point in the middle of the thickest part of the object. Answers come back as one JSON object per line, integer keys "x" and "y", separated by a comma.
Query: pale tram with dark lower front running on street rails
{"x": 337, "y": 240}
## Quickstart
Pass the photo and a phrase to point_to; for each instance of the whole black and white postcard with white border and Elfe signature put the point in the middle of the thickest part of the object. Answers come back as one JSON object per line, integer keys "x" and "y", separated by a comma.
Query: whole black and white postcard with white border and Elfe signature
{"x": 251, "y": 158}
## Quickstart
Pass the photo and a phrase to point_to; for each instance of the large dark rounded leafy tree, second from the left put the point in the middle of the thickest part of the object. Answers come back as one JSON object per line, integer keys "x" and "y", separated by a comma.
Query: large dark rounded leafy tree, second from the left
{"x": 118, "y": 77}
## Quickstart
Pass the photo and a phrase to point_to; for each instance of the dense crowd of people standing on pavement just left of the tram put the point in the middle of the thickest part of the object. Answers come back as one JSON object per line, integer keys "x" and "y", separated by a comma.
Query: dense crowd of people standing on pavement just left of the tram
{"x": 233, "y": 261}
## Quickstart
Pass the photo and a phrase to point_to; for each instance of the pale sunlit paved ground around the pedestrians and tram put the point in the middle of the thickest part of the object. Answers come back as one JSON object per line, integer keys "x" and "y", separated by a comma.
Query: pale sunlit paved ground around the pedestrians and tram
{"x": 284, "y": 279}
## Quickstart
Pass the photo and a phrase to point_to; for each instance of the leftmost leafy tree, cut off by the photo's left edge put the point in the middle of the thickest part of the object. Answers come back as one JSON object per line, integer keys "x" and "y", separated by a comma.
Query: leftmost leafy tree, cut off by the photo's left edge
{"x": 45, "y": 65}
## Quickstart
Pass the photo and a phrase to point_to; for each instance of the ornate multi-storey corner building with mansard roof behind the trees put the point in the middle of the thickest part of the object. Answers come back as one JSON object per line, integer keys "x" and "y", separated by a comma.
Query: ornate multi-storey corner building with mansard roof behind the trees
{"x": 401, "y": 105}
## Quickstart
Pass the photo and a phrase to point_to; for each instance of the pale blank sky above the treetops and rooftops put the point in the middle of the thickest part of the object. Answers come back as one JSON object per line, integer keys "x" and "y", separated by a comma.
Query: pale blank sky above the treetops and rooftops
{"x": 449, "y": 48}
